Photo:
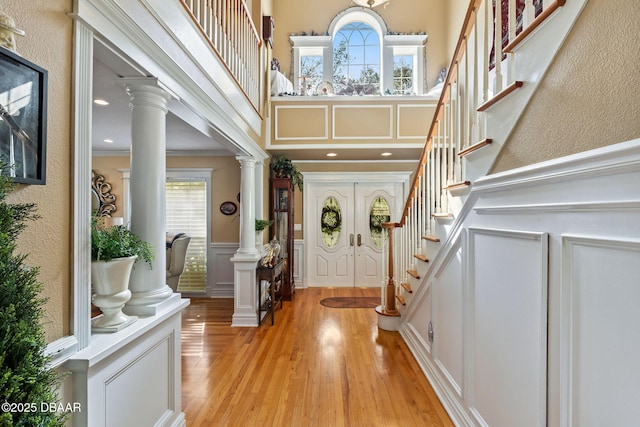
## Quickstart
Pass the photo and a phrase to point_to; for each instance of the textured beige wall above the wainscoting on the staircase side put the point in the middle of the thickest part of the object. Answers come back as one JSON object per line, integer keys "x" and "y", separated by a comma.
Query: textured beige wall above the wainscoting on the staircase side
{"x": 590, "y": 96}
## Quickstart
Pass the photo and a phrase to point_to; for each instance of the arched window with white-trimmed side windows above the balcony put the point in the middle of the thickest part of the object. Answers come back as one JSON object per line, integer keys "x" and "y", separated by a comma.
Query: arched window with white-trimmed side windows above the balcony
{"x": 358, "y": 56}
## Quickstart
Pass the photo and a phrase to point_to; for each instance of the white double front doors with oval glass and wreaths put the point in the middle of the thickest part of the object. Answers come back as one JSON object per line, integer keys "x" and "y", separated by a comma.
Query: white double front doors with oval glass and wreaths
{"x": 342, "y": 230}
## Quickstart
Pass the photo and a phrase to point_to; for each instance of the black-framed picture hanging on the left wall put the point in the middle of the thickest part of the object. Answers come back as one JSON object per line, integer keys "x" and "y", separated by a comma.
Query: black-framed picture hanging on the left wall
{"x": 23, "y": 119}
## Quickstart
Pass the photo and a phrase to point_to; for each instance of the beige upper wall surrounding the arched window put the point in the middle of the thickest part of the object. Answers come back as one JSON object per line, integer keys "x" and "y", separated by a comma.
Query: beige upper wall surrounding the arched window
{"x": 296, "y": 16}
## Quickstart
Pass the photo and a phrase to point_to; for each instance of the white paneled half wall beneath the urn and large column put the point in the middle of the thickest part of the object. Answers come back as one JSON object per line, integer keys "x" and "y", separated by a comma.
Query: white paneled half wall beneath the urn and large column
{"x": 132, "y": 377}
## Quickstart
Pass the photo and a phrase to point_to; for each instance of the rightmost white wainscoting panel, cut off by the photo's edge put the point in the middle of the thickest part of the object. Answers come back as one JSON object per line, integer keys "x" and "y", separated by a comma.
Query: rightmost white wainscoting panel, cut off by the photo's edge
{"x": 600, "y": 332}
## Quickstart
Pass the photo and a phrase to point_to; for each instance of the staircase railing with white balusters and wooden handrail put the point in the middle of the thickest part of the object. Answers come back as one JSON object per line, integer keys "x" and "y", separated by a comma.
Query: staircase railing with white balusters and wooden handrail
{"x": 475, "y": 81}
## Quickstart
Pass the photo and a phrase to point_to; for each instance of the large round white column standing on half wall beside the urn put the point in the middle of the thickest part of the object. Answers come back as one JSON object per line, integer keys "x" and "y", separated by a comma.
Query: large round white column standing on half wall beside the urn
{"x": 148, "y": 176}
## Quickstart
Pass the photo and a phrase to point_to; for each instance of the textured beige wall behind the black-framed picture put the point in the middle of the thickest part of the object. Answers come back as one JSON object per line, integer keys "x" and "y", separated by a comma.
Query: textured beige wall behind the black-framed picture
{"x": 48, "y": 240}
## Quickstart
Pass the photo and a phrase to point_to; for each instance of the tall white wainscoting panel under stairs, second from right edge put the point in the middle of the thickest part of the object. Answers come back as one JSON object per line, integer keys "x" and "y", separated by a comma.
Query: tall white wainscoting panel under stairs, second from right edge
{"x": 508, "y": 276}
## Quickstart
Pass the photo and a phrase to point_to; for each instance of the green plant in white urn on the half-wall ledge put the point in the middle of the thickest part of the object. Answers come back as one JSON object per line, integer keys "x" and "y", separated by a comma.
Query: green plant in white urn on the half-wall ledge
{"x": 114, "y": 250}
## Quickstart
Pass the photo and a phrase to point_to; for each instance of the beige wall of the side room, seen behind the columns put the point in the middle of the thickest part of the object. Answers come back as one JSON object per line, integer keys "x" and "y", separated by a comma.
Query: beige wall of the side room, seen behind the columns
{"x": 225, "y": 186}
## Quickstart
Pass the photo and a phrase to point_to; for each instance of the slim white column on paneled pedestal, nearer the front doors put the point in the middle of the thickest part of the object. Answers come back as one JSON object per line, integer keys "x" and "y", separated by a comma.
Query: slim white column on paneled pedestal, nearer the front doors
{"x": 245, "y": 311}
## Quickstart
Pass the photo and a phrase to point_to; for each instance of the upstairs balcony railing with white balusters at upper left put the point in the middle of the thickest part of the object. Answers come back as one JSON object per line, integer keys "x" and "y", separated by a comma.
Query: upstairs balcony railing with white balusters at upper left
{"x": 228, "y": 27}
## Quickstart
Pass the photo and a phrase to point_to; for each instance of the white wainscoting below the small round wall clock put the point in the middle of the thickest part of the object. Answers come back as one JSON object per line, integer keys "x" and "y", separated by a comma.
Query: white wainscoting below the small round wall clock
{"x": 220, "y": 270}
